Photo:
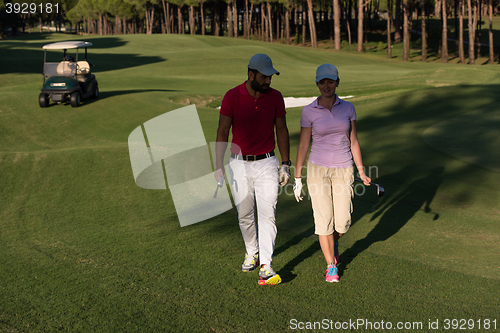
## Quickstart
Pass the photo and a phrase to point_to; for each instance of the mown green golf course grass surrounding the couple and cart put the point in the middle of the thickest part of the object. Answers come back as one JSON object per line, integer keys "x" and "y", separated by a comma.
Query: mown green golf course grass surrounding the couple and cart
{"x": 84, "y": 249}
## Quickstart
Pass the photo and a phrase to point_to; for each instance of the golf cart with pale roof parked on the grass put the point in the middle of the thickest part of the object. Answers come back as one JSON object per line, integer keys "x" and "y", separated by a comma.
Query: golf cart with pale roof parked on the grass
{"x": 69, "y": 79}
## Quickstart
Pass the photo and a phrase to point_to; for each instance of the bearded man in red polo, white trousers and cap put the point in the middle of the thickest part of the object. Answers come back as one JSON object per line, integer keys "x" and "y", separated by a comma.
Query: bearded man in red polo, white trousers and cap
{"x": 253, "y": 110}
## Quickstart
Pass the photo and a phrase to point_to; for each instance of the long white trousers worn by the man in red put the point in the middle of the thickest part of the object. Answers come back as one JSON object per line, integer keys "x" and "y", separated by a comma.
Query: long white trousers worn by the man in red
{"x": 256, "y": 183}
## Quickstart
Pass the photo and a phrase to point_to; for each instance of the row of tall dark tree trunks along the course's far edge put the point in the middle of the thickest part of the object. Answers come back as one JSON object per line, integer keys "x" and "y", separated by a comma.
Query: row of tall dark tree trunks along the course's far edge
{"x": 275, "y": 21}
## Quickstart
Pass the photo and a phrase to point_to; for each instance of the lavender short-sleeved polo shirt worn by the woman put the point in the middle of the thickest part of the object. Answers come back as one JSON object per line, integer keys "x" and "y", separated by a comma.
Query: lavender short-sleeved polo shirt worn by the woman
{"x": 331, "y": 144}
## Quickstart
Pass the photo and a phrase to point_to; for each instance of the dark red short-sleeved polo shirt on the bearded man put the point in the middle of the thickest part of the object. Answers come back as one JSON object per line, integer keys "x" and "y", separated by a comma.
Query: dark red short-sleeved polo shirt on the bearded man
{"x": 253, "y": 119}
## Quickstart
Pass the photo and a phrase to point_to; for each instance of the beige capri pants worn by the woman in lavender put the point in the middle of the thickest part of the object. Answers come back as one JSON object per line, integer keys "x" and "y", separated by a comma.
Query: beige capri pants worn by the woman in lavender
{"x": 331, "y": 191}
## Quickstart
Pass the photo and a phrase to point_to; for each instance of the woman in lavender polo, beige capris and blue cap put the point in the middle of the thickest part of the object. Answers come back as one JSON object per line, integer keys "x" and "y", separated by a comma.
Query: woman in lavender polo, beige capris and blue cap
{"x": 331, "y": 122}
